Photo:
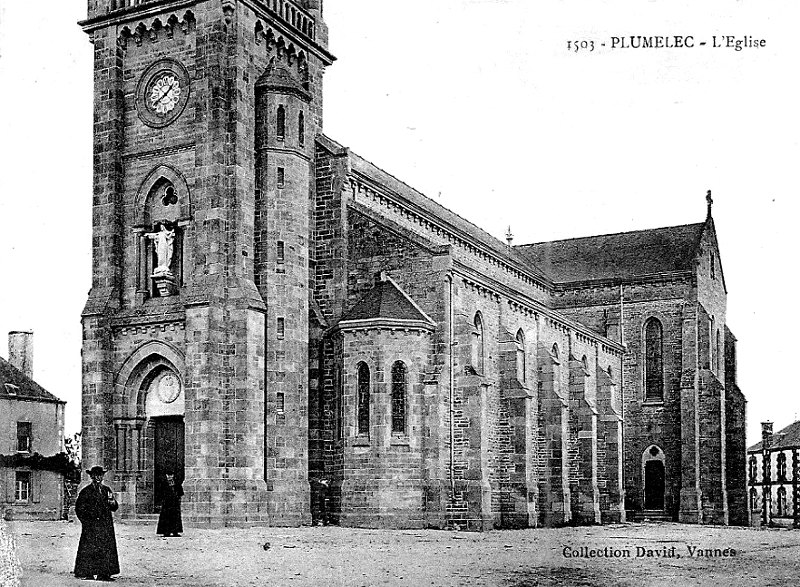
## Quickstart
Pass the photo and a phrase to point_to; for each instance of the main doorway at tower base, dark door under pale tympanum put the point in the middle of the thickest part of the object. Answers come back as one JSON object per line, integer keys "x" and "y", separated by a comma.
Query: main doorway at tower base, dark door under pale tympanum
{"x": 164, "y": 410}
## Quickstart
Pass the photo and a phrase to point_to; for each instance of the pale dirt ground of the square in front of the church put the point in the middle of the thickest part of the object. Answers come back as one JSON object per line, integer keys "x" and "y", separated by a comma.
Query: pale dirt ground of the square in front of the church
{"x": 338, "y": 556}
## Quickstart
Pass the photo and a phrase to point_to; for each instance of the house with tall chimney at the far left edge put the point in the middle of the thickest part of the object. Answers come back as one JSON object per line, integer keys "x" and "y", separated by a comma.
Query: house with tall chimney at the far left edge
{"x": 31, "y": 438}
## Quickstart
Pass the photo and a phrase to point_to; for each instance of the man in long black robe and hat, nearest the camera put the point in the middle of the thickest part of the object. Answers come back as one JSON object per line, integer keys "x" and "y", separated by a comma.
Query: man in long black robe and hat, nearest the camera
{"x": 97, "y": 549}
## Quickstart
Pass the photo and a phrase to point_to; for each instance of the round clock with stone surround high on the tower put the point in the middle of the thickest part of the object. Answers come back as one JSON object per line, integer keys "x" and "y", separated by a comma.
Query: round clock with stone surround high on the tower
{"x": 162, "y": 93}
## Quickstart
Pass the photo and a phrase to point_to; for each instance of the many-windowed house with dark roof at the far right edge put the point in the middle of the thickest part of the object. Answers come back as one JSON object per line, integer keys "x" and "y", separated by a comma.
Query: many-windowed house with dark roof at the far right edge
{"x": 773, "y": 476}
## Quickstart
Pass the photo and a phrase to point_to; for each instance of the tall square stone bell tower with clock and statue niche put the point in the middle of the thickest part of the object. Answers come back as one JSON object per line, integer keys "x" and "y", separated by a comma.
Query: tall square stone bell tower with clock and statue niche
{"x": 195, "y": 332}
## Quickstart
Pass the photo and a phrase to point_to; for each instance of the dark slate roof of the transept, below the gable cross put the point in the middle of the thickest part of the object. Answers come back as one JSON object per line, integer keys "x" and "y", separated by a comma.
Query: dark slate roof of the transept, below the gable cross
{"x": 624, "y": 255}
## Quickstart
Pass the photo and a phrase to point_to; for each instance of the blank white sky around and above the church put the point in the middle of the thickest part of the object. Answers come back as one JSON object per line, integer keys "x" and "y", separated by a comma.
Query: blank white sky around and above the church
{"x": 481, "y": 105}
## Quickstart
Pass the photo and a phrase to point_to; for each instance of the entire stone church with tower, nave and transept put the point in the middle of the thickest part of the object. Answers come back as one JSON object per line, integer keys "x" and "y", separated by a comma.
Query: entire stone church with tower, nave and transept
{"x": 287, "y": 327}
